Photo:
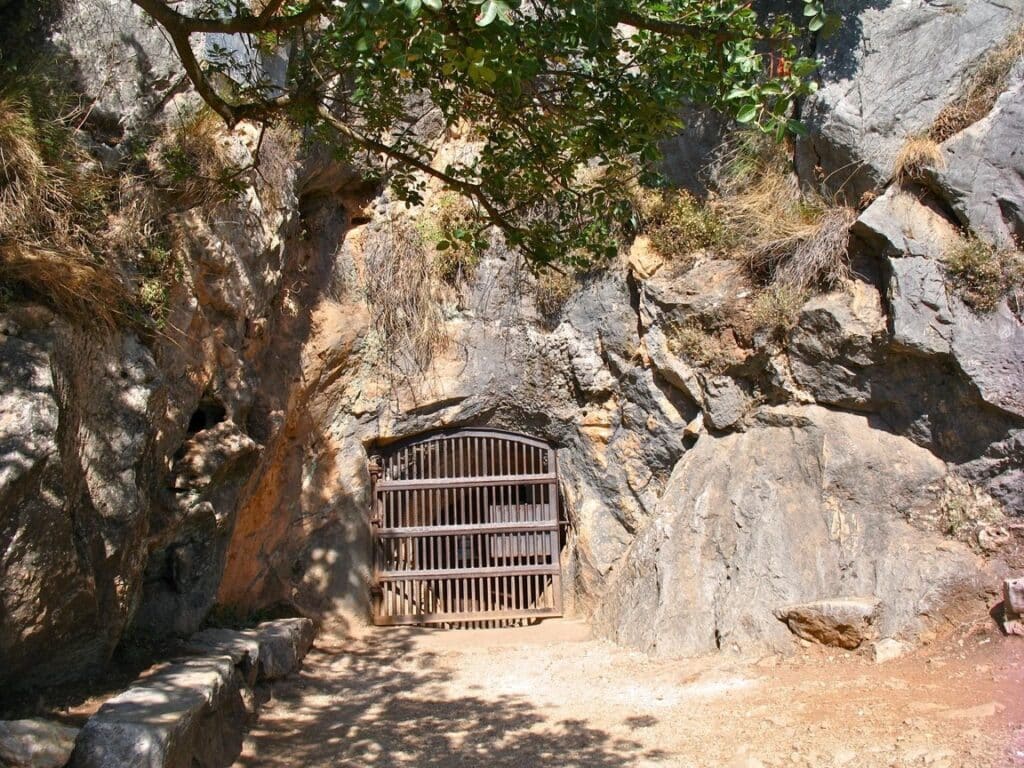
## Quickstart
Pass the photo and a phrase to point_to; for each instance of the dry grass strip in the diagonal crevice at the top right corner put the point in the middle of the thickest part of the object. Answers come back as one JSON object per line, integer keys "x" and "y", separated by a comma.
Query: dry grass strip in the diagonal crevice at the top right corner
{"x": 984, "y": 89}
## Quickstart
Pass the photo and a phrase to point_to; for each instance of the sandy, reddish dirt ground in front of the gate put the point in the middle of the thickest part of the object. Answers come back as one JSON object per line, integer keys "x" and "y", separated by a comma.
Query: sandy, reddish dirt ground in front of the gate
{"x": 551, "y": 696}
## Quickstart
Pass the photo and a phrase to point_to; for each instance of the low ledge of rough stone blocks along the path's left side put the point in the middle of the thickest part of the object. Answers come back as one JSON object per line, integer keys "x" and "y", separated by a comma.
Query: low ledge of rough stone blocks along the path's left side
{"x": 192, "y": 712}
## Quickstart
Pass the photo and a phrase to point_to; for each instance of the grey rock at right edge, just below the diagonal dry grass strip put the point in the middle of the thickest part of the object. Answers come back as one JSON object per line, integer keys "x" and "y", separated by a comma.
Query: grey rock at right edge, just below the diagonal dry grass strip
{"x": 983, "y": 180}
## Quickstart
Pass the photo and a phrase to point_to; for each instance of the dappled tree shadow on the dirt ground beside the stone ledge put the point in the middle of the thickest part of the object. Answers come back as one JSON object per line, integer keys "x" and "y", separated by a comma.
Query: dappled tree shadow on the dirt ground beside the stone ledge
{"x": 385, "y": 703}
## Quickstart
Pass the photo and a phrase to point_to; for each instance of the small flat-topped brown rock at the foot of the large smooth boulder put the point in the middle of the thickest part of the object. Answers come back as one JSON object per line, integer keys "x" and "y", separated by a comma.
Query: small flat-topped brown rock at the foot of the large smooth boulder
{"x": 844, "y": 622}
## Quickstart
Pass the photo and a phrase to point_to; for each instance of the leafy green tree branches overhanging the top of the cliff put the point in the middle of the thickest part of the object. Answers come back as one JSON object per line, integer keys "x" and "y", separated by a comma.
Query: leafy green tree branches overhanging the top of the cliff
{"x": 568, "y": 97}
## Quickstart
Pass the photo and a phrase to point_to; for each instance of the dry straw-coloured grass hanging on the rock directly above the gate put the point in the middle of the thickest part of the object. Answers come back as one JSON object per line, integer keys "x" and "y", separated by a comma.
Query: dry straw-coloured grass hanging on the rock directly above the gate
{"x": 404, "y": 294}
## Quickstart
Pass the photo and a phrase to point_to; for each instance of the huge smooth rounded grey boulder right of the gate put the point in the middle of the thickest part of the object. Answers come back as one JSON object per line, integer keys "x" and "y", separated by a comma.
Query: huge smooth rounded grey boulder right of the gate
{"x": 804, "y": 505}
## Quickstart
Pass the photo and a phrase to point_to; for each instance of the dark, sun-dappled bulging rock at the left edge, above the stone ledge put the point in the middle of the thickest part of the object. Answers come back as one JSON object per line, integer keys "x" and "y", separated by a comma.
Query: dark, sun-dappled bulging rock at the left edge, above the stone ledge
{"x": 76, "y": 414}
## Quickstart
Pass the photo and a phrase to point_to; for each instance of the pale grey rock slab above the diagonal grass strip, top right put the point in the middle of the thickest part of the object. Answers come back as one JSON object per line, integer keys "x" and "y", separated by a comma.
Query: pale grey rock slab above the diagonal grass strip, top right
{"x": 887, "y": 74}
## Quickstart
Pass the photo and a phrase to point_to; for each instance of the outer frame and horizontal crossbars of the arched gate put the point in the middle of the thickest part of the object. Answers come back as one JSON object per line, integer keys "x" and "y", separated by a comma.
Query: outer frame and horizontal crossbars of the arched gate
{"x": 552, "y": 525}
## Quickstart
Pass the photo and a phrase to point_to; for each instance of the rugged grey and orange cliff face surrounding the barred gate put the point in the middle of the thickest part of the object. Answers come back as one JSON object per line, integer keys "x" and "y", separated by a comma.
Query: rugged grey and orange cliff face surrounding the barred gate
{"x": 713, "y": 477}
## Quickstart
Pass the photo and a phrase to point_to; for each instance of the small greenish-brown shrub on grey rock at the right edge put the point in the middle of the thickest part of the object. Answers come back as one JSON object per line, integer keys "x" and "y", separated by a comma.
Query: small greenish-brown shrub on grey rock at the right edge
{"x": 983, "y": 275}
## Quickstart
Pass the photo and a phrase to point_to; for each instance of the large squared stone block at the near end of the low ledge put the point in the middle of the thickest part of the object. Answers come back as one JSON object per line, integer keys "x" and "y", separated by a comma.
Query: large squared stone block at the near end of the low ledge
{"x": 190, "y": 715}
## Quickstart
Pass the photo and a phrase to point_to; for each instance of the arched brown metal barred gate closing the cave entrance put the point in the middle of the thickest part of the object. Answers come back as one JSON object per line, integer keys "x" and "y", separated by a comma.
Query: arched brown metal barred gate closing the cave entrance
{"x": 465, "y": 530}
